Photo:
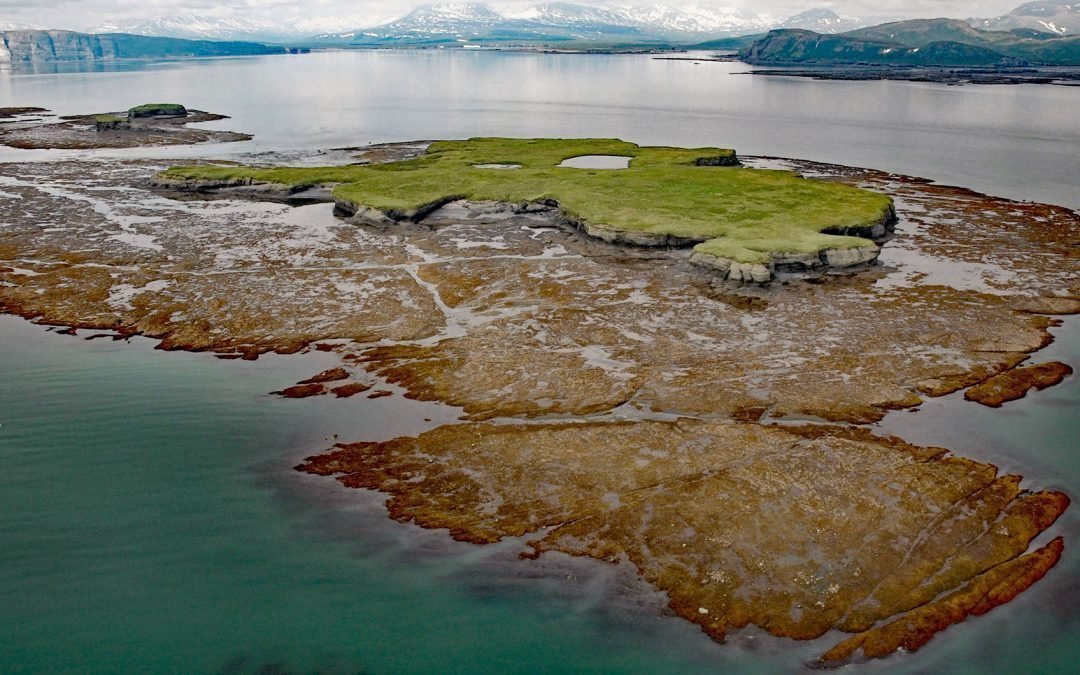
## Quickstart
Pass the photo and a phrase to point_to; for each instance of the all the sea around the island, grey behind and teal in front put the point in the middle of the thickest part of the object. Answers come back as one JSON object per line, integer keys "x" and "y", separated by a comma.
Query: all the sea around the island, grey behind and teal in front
{"x": 153, "y": 522}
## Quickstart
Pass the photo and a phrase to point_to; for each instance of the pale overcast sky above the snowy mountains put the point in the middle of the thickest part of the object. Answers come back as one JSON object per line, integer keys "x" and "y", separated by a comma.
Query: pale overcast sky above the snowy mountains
{"x": 84, "y": 15}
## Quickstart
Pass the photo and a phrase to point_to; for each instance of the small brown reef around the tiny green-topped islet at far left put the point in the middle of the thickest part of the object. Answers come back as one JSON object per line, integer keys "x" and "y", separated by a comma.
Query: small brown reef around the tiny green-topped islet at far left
{"x": 133, "y": 129}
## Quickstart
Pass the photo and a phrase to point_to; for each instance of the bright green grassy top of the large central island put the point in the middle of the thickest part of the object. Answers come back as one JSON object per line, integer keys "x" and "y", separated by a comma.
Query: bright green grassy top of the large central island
{"x": 742, "y": 214}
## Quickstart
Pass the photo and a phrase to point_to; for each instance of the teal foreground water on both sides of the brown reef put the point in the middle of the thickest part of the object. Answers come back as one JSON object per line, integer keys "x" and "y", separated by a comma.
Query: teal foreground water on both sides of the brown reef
{"x": 153, "y": 524}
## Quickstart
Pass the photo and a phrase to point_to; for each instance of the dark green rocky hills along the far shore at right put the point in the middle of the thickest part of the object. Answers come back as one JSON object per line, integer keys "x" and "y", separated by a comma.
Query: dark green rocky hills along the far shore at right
{"x": 916, "y": 43}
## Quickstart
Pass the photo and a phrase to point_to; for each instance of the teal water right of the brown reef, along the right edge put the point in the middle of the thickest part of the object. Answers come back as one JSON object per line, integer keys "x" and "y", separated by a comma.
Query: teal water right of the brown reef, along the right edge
{"x": 1039, "y": 439}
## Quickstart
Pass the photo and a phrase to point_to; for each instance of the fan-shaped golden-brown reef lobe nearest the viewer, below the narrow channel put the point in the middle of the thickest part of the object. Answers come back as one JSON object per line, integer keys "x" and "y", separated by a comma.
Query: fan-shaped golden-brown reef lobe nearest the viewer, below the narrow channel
{"x": 798, "y": 531}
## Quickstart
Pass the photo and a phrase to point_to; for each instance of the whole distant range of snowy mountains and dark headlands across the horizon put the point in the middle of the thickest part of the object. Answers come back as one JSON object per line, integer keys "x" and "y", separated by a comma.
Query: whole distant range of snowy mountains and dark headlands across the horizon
{"x": 1033, "y": 34}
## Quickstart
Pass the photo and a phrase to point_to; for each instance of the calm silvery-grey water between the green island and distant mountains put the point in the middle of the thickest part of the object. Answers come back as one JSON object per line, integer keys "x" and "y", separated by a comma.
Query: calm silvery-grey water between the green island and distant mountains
{"x": 1019, "y": 142}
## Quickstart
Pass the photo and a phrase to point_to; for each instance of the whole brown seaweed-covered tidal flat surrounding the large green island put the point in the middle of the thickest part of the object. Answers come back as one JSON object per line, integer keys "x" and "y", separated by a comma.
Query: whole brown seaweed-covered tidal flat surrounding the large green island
{"x": 617, "y": 403}
